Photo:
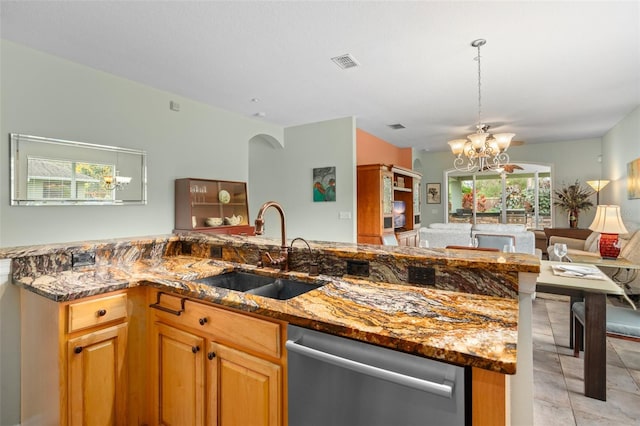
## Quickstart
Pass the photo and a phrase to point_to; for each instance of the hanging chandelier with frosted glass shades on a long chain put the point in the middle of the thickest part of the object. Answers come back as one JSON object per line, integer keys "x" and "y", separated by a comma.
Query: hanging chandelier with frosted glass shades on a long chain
{"x": 481, "y": 150}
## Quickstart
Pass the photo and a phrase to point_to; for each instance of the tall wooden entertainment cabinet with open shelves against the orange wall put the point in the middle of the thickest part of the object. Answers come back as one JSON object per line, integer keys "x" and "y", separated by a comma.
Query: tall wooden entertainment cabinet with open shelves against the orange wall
{"x": 388, "y": 202}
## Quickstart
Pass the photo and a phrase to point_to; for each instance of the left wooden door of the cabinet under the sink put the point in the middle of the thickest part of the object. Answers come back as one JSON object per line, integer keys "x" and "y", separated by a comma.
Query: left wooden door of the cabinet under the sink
{"x": 178, "y": 368}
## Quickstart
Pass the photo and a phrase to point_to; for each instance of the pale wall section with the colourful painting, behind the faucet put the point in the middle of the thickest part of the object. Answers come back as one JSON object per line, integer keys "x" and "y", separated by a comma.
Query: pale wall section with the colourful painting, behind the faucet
{"x": 285, "y": 174}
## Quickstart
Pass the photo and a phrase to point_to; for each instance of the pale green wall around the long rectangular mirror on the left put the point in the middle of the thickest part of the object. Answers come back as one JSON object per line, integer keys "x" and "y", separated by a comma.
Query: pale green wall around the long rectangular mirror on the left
{"x": 44, "y": 95}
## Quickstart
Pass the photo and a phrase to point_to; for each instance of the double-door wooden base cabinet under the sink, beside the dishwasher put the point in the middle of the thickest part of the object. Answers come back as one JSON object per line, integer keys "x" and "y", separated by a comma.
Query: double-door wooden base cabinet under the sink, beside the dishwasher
{"x": 213, "y": 366}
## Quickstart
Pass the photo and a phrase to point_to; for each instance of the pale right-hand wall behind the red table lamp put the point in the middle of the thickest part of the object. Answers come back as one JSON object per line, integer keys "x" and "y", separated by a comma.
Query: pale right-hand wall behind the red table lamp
{"x": 621, "y": 145}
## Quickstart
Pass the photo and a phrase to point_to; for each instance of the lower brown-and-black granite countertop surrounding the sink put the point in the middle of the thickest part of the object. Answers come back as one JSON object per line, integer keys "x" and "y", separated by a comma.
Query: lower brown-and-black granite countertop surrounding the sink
{"x": 464, "y": 329}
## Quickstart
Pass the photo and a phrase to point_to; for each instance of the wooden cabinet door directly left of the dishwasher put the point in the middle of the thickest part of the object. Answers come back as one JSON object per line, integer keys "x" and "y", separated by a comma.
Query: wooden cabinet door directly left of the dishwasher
{"x": 247, "y": 389}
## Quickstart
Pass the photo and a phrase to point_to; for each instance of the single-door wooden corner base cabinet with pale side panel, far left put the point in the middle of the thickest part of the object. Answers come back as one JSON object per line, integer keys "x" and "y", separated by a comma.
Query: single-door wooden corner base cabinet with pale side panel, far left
{"x": 80, "y": 350}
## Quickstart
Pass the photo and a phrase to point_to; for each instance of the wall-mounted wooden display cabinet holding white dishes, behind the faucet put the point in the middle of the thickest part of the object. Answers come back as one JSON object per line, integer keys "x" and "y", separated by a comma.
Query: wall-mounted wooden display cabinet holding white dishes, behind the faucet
{"x": 216, "y": 206}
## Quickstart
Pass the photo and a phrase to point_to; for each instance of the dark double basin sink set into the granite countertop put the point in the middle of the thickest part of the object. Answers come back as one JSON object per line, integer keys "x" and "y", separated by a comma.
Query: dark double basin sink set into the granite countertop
{"x": 274, "y": 288}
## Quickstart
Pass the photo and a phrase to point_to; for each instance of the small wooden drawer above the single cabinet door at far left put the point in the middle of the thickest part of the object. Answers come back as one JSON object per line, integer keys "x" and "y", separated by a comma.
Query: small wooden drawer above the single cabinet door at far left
{"x": 95, "y": 312}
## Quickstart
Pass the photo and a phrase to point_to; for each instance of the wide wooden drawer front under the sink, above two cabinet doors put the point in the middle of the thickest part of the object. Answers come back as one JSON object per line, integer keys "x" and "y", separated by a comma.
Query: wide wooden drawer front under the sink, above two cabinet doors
{"x": 235, "y": 329}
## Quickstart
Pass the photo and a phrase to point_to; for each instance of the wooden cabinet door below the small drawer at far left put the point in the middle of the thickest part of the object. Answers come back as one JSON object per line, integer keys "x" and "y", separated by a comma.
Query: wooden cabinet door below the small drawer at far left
{"x": 97, "y": 377}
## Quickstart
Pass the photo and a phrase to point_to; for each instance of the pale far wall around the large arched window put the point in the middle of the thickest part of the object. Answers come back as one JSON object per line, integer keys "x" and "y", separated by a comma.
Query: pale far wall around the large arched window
{"x": 569, "y": 160}
